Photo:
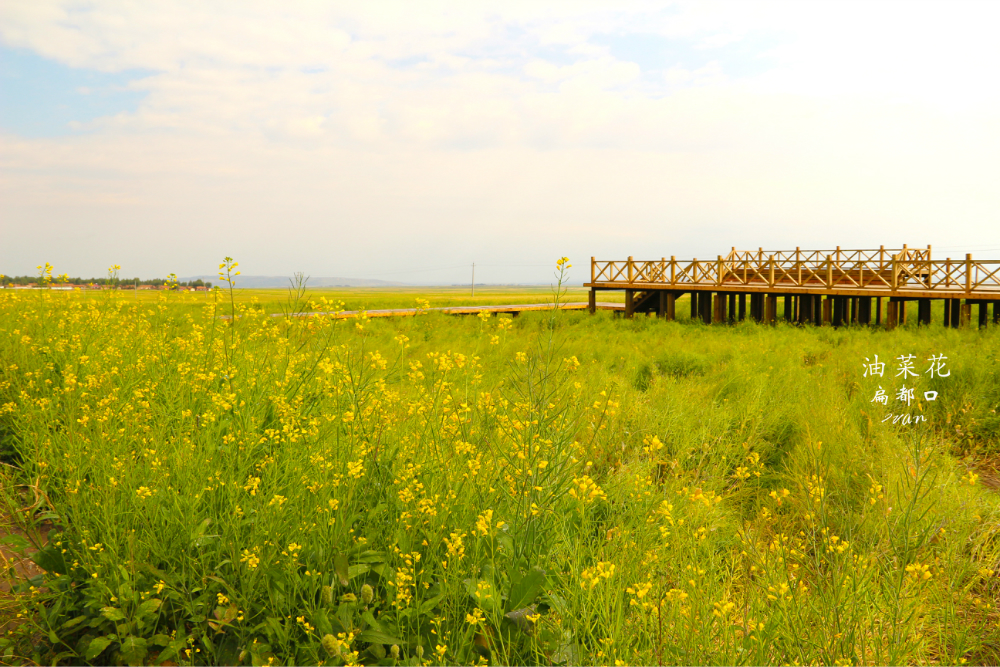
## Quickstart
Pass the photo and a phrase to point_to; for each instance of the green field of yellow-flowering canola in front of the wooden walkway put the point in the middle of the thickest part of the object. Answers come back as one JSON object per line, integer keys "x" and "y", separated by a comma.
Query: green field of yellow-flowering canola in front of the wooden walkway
{"x": 203, "y": 483}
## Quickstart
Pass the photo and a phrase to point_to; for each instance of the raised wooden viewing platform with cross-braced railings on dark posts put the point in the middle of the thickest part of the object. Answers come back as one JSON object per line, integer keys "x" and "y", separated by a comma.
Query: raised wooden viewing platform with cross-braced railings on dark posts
{"x": 837, "y": 287}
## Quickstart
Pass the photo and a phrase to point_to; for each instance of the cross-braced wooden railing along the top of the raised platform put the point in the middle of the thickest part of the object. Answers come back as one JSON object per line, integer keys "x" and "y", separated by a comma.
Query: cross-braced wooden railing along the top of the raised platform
{"x": 899, "y": 270}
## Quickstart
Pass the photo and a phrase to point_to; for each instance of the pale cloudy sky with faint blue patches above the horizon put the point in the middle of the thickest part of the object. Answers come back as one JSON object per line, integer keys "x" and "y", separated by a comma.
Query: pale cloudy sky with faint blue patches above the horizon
{"x": 407, "y": 141}
